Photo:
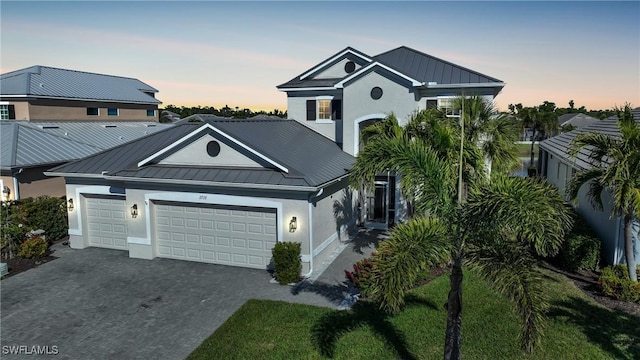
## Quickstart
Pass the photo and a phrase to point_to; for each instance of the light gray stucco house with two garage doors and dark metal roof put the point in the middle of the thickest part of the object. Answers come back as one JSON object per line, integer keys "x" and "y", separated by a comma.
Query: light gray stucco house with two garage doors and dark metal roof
{"x": 224, "y": 191}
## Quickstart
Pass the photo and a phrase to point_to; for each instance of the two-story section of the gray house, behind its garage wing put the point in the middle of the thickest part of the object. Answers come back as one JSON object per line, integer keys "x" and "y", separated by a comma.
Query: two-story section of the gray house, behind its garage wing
{"x": 351, "y": 90}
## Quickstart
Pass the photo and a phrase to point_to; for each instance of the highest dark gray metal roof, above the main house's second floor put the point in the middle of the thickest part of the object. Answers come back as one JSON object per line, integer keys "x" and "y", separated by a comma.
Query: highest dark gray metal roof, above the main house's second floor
{"x": 409, "y": 62}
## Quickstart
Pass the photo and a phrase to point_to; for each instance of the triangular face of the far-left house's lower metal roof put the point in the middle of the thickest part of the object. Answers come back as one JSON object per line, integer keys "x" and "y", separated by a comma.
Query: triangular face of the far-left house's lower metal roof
{"x": 103, "y": 135}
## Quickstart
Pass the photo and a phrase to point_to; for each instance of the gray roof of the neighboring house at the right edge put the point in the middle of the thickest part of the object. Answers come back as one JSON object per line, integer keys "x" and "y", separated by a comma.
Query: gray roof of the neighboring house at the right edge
{"x": 559, "y": 145}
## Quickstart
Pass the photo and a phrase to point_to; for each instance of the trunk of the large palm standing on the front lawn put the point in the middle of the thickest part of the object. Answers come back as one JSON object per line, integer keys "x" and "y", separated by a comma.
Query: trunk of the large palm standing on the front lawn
{"x": 454, "y": 313}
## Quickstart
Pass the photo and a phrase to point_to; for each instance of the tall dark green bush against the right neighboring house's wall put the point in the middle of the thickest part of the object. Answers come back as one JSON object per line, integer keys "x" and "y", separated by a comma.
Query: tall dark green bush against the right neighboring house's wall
{"x": 580, "y": 249}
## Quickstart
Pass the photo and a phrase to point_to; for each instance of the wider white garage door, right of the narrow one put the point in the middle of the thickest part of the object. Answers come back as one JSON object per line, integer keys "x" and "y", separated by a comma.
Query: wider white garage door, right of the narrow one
{"x": 218, "y": 234}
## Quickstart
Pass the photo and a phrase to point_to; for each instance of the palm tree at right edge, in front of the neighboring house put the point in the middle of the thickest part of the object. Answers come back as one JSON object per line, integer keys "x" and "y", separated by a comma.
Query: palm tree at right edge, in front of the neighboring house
{"x": 615, "y": 167}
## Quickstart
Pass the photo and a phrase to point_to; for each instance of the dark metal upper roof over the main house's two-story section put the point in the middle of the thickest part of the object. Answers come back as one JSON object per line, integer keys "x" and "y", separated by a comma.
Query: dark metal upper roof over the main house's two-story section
{"x": 422, "y": 69}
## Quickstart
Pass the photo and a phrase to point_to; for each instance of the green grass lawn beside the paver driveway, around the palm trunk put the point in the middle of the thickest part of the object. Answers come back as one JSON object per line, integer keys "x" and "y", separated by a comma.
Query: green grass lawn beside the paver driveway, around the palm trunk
{"x": 578, "y": 328}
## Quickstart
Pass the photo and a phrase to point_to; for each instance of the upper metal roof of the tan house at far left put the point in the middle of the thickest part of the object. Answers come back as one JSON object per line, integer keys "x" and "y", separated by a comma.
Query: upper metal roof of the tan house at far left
{"x": 48, "y": 82}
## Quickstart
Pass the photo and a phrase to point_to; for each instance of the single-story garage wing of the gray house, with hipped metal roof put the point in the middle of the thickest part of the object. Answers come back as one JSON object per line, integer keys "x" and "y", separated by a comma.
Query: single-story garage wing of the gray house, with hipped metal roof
{"x": 214, "y": 190}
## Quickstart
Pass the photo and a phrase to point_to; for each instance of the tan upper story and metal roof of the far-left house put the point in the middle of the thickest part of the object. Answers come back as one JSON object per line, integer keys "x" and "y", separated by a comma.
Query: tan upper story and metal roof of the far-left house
{"x": 41, "y": 93}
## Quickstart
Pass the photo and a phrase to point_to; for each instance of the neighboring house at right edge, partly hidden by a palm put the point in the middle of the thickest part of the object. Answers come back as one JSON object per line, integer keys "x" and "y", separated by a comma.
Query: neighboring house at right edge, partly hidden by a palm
{"x": 558, "y": 167}
